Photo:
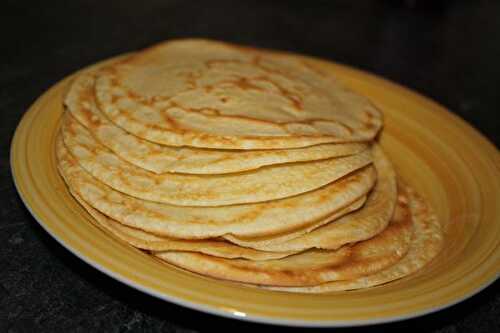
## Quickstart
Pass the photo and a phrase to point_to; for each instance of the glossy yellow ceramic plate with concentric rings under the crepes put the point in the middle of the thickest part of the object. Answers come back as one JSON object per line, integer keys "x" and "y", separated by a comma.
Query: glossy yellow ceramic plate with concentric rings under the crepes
{"x": 445, "y": 159}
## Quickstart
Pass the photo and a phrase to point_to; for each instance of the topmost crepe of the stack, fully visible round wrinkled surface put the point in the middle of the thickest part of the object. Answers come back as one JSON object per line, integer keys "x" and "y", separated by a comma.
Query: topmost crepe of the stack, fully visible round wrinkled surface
{"x": 203, "y": 93}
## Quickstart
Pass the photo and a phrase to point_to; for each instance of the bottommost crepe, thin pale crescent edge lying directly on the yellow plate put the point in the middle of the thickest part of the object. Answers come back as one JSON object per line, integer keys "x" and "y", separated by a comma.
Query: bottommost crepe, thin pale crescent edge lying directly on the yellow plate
{"x": 426, "y": 243}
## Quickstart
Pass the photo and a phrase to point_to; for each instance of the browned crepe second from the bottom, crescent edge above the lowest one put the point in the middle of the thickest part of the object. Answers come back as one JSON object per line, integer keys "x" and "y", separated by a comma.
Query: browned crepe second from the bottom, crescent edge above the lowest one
{"x": 313, "y": 266}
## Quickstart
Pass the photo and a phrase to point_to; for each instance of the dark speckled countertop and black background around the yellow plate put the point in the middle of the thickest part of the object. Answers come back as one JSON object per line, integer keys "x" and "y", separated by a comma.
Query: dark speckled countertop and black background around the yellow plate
{"x": 447, "y": 50}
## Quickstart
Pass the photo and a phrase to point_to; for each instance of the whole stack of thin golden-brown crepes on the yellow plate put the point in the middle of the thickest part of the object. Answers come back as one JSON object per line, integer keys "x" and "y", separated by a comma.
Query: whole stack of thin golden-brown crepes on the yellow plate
{"x": 244, "y": 165}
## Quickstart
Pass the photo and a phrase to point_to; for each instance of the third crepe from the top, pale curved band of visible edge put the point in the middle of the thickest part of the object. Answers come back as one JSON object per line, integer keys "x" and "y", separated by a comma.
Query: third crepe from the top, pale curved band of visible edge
{"x": 264, "y": 184}
